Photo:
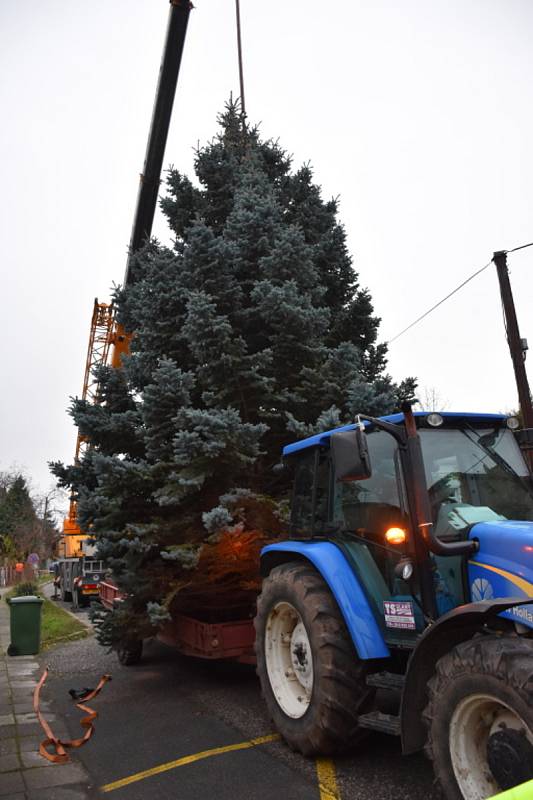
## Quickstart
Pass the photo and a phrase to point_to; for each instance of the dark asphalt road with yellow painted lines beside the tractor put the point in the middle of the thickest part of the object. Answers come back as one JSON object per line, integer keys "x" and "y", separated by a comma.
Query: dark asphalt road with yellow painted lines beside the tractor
{"x": 169, "y": 707}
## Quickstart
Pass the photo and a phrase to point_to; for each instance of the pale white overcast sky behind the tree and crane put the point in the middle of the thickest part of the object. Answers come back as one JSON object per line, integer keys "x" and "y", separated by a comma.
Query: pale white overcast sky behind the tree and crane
{"x": 417, "y": 114}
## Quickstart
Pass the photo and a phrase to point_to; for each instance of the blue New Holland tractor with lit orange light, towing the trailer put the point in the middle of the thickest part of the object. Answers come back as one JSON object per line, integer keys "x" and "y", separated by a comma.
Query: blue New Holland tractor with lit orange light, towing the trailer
{"x": 409, "y": 573}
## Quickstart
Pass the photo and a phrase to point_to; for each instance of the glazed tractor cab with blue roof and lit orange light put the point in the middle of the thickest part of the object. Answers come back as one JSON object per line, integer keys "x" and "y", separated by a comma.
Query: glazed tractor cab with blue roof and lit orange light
{"x": 474, "y": 472}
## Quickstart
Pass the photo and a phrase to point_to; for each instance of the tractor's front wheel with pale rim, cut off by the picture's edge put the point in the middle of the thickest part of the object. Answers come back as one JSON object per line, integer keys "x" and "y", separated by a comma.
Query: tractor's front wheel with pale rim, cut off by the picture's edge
{"x": 480, "y": 717}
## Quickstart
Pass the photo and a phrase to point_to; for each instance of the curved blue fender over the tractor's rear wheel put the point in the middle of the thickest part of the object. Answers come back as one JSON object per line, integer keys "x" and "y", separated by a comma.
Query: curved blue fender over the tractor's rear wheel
{"x": 331, "y": 563}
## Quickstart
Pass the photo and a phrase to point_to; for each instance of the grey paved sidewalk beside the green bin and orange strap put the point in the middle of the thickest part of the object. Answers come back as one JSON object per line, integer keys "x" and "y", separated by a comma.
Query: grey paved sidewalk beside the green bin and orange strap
{"x": 24, "y": 773}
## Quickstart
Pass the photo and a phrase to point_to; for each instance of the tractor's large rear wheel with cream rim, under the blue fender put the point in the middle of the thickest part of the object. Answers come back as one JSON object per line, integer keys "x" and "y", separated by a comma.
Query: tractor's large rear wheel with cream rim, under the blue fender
{"x": 312, "y": 680}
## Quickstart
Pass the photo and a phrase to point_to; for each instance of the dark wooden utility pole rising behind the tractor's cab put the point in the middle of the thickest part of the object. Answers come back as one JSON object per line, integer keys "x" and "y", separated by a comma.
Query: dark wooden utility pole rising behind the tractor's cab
{"x": 517, "y": 346}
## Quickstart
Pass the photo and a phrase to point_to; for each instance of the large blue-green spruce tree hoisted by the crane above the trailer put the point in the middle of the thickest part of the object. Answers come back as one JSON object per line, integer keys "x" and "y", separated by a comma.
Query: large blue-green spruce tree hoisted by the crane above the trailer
{"x": 250, "y": 331}
